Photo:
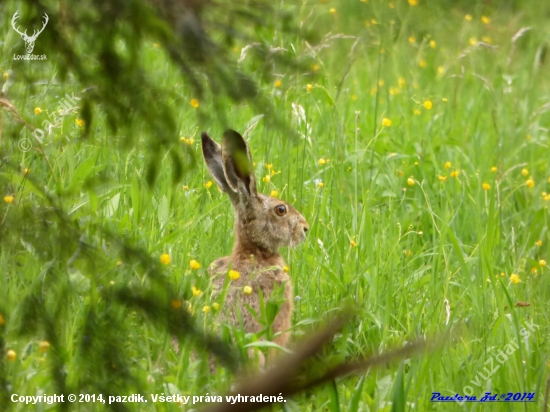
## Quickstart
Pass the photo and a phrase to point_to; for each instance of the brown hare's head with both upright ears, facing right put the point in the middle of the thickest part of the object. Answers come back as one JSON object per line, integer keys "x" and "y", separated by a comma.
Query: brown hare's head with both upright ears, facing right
{"x": 262, "y": 223}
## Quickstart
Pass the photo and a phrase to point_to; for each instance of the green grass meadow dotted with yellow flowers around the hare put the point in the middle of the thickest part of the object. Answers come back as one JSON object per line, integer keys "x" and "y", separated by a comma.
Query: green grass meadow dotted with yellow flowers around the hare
{"x": 420, "y": 159}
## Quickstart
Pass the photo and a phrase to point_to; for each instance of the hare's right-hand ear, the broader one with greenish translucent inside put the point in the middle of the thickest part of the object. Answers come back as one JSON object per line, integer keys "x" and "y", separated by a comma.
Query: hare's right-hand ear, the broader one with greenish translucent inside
{"x": 237, "y": 164}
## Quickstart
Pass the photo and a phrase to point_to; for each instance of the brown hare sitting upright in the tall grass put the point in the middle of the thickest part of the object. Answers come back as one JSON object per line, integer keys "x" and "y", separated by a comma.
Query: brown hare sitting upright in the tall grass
{"x": 262, "y": 225}
